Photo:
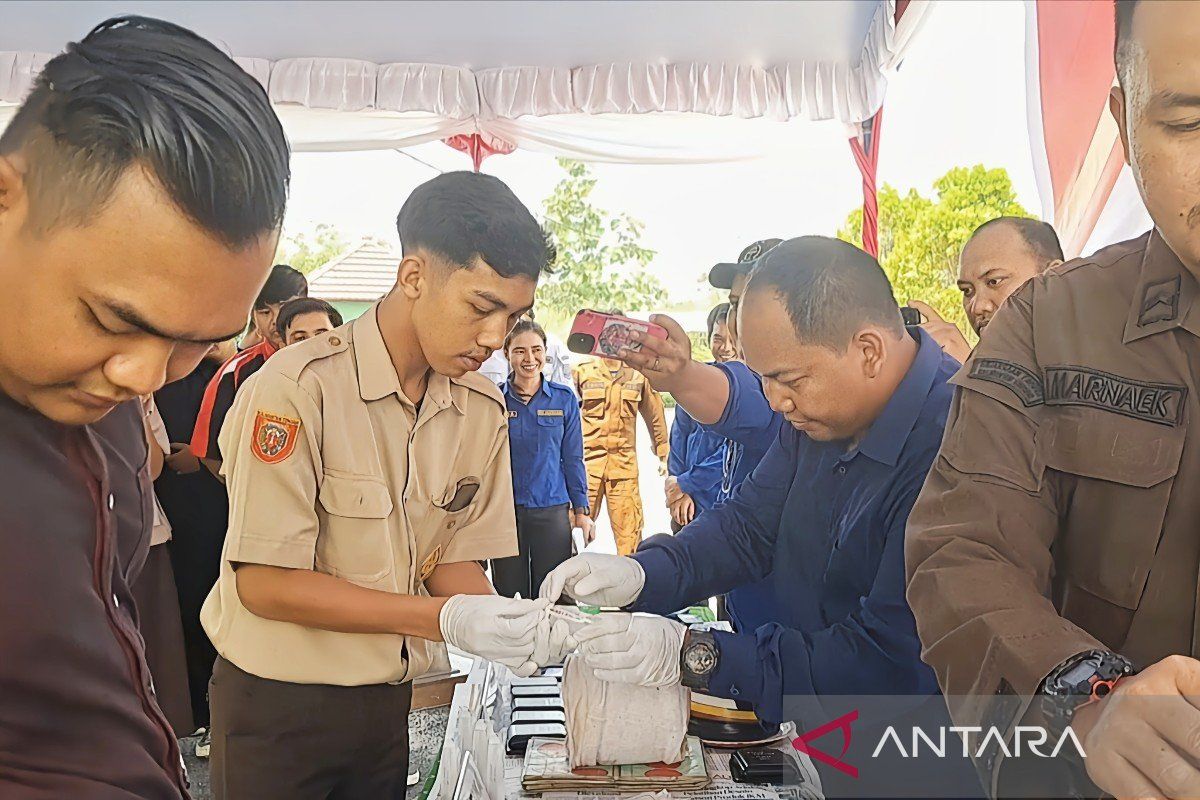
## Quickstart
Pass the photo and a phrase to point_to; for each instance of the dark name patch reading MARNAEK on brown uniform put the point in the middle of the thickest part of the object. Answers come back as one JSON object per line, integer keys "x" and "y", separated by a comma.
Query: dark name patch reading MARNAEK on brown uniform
{"x": 1070, "y": 386}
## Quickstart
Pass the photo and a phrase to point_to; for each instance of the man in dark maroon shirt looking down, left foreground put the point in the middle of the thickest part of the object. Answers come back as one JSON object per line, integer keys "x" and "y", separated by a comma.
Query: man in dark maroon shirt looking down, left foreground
{"x": 142, "y": 189}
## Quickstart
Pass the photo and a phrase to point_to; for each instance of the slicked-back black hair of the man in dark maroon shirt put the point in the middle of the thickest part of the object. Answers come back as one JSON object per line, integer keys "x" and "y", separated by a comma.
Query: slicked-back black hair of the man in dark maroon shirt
{"x": 141, "y": 92}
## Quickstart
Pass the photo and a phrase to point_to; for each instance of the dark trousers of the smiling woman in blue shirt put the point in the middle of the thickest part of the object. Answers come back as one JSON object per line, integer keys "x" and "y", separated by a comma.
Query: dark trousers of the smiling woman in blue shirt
{"x": 544, "y": 538}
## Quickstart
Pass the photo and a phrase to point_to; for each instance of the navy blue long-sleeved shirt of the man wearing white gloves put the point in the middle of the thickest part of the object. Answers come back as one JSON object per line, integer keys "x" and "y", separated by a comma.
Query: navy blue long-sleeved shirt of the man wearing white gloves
{"x": 829, "y": 526}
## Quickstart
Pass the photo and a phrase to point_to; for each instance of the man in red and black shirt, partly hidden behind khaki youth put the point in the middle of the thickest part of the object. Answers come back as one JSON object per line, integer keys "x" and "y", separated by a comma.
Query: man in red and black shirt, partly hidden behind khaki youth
{"x": 285, "y": 284}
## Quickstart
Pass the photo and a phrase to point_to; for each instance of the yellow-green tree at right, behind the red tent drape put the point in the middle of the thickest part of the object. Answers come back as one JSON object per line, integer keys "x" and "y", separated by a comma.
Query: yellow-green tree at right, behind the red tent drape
{"x": 921, "y": 238}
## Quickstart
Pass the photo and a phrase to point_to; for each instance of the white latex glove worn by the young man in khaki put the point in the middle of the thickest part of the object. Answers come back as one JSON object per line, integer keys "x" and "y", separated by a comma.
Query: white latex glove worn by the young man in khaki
{"x": 499, "y": 629}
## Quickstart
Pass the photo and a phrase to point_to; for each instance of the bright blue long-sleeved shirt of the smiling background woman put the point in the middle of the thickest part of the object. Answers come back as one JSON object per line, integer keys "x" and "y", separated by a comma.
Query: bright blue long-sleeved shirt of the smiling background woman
{"x": 547, "y": 446}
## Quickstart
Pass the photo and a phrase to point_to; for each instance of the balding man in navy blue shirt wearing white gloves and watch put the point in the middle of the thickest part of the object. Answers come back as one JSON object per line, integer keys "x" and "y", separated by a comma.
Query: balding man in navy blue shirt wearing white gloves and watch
{"x": 825, "y": 513}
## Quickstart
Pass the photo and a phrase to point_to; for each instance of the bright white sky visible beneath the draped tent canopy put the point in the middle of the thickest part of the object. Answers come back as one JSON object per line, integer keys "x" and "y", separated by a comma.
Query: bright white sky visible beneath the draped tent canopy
{"x": 958, "y": 100}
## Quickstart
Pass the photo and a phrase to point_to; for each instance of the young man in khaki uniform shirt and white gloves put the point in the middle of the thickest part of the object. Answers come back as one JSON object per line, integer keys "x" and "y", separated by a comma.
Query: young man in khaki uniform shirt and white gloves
{"x": 369, "y": 474}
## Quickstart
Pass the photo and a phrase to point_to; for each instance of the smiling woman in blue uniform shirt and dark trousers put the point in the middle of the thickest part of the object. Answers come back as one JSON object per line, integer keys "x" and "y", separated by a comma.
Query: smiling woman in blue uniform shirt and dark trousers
{"x": 550, "y": 485}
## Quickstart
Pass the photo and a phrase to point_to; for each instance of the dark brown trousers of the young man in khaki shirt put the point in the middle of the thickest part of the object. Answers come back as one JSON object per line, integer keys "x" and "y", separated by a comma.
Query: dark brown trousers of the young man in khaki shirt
{"x": 308, "y": 742}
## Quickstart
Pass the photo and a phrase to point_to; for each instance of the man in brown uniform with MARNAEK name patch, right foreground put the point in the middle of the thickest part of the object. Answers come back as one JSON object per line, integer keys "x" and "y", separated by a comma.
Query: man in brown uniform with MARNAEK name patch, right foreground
{"x": 1055, "y": 545}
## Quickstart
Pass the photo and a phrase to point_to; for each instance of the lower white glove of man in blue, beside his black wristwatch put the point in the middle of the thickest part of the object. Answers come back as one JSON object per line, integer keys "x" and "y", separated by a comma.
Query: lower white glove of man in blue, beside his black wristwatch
{"x": 633, "y": 649}
